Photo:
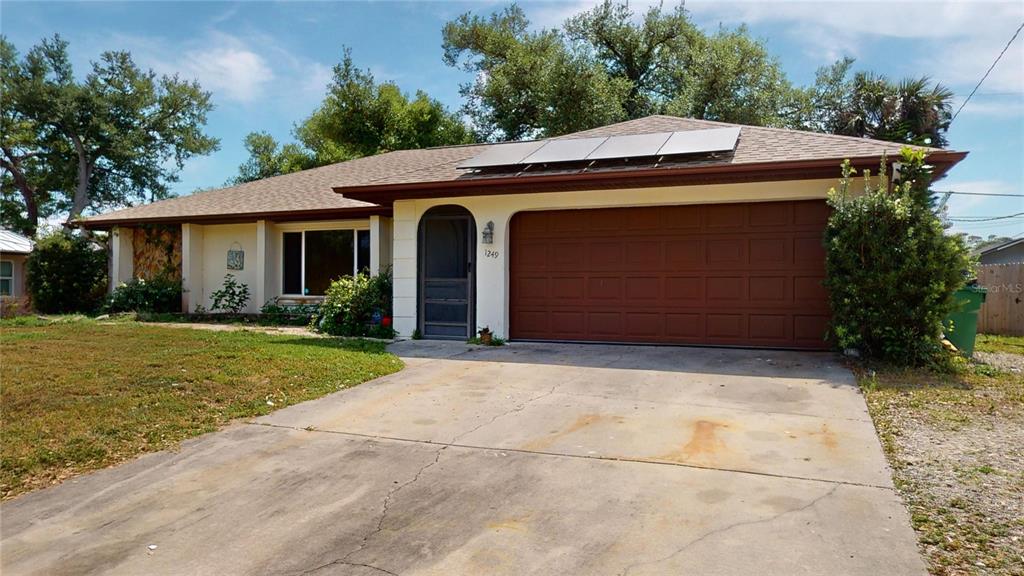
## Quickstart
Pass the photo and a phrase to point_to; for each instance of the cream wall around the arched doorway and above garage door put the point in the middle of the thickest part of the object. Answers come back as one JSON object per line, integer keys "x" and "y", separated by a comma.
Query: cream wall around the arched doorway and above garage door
{"x": 492, "y": 272}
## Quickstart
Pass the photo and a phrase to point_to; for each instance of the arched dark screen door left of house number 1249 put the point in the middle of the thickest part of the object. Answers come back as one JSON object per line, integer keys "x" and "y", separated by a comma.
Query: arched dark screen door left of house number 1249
{"x": 447, "y": 295}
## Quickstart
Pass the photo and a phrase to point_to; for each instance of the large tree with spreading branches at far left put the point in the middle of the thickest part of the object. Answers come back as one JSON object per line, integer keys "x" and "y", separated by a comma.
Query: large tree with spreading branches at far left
{"x": 119, "y": 137}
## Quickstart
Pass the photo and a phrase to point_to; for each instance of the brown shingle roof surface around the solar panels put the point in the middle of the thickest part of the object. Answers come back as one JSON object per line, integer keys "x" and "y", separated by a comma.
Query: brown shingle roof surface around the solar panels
{"x": 312, "y": 191}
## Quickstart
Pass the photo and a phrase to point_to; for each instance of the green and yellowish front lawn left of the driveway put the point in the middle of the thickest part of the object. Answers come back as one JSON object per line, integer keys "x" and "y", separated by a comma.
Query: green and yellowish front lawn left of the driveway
{"x": 80, "y": 395}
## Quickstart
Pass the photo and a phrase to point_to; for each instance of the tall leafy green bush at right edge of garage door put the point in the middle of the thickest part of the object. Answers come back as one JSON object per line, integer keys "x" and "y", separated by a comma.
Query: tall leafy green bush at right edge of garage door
{"x": 891, "y": 269}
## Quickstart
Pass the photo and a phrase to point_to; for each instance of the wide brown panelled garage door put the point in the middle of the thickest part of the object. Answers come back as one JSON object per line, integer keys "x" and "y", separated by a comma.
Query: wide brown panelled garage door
{"x": 745, "y": 275}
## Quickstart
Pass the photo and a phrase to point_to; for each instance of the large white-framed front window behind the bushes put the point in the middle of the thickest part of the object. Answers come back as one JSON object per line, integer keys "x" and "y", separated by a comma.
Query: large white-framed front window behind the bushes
{"x": 314, "y": 259}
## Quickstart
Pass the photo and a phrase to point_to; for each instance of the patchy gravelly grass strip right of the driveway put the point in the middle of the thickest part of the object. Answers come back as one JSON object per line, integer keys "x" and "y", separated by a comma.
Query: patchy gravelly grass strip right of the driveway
{"x": 955, "y": 444}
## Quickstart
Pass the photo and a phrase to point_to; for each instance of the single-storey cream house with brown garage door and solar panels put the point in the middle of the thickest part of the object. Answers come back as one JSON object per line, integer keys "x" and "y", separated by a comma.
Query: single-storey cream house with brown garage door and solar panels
{"x": 657, "y": 230}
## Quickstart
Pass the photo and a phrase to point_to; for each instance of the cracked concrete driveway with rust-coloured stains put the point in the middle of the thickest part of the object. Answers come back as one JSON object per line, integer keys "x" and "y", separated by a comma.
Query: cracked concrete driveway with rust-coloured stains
{"x": 526, "y": 460}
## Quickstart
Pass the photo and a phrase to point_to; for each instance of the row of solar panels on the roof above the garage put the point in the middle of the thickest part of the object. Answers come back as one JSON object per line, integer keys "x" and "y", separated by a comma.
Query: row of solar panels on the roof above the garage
{"x": 606, "y": 148}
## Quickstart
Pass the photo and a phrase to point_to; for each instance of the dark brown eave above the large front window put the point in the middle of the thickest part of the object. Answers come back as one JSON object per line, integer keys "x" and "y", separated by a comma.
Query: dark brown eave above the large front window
{"x": 291, "y": 216}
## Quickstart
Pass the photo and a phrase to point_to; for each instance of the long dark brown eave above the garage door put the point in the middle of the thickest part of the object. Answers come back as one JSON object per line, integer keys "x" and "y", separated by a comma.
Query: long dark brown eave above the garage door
{"x": 386, "y": 195}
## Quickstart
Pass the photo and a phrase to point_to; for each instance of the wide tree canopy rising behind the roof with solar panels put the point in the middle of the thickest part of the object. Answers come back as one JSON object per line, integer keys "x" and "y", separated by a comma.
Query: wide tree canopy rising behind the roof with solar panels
{"x": 607, "y": 65}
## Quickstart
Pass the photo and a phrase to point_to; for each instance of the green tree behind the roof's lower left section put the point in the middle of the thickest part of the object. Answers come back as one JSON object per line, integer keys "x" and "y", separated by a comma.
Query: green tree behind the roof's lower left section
{"x": 359, "y": 117}
